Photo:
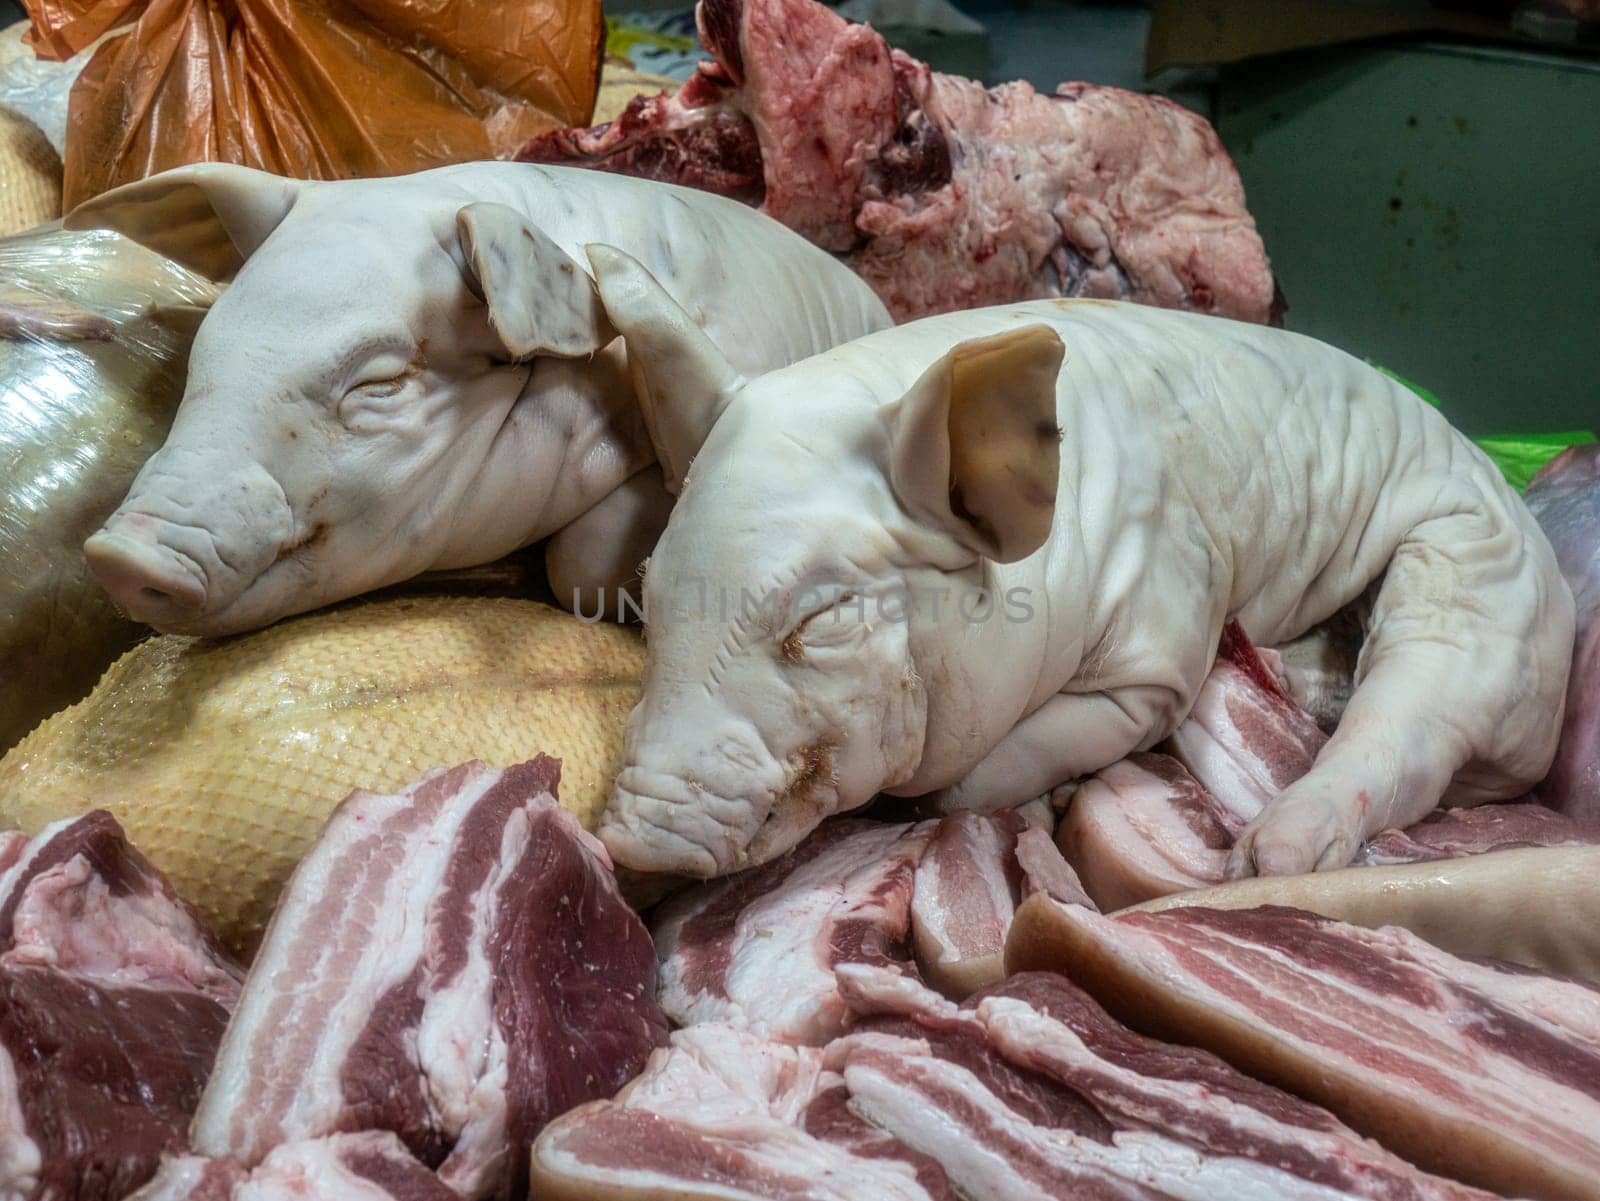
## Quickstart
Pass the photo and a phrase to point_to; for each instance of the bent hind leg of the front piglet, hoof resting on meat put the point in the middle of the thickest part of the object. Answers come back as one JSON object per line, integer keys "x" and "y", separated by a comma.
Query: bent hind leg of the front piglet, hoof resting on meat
{"x": 1455, "y": 692}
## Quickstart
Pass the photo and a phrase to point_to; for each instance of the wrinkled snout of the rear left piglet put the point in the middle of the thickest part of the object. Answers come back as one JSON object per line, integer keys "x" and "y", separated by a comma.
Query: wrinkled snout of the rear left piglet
{"x": 180, "y": 567}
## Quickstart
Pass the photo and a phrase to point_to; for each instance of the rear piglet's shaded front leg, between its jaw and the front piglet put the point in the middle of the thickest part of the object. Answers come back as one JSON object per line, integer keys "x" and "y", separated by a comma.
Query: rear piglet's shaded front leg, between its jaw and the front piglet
{"x": 596, "y": 559}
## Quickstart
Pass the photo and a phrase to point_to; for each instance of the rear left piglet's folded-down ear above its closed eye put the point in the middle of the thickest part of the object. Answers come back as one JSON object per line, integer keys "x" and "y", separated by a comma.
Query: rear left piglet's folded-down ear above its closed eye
{"x": 542, "y": 301}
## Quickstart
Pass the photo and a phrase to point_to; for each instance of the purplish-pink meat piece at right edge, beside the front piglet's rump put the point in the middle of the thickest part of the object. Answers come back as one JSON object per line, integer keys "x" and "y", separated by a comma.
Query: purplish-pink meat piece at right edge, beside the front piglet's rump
{"x": 1566, "y": 498}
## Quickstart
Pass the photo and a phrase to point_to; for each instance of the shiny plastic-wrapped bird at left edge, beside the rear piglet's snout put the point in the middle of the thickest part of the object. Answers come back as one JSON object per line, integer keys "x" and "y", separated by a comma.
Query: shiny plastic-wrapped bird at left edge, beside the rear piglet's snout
{"x": 95, "y": 337}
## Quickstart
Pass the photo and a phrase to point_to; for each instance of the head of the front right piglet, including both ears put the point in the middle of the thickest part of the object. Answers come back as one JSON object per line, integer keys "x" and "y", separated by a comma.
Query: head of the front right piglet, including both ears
{"x": 788, "y": 664}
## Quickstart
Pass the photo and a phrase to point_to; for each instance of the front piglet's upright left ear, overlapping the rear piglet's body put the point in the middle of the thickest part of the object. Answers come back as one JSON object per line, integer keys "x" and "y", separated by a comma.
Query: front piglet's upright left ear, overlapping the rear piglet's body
{"x": 682, "y": 380}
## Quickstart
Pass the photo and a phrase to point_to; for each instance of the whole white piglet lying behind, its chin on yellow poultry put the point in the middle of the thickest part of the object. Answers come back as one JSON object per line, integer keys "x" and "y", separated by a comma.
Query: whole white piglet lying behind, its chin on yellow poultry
{"x": 414, "y": 373}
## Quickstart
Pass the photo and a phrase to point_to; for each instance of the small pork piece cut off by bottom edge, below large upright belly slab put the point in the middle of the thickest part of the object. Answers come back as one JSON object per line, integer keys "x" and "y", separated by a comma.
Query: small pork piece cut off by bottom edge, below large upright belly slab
{"x": 369, "y": 1167}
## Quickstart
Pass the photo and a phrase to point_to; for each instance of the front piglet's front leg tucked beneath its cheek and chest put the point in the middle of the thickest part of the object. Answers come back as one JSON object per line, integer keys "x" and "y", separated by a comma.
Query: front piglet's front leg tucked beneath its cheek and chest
{"x": 1068, "y": 736}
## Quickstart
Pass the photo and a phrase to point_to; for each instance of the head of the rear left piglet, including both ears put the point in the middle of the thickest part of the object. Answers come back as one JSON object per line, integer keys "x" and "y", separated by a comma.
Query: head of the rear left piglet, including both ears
{"x": 346, "y": 396}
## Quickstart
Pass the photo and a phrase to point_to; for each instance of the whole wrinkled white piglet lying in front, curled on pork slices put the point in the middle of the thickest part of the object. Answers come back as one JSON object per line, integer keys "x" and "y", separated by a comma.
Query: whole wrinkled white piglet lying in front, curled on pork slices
{"x": 996, "y": 551}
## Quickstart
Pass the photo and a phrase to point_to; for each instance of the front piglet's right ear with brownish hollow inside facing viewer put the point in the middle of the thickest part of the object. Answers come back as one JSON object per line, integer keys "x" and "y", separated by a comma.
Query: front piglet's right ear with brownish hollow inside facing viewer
{"x": 975, "y": 450}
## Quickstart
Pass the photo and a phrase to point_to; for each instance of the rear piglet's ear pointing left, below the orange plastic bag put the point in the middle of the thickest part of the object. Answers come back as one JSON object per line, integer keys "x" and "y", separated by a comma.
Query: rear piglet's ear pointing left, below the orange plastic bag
{"x": 206, "y": 217}
